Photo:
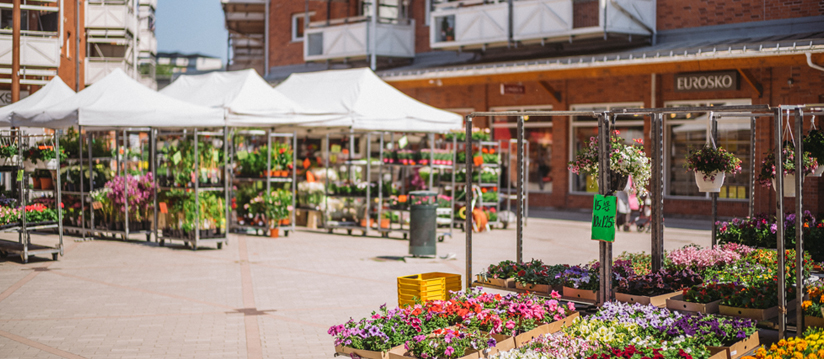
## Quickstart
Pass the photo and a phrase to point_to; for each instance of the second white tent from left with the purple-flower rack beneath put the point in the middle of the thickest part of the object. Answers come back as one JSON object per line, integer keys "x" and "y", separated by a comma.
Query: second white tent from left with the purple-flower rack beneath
{"x": 126, "y": 110}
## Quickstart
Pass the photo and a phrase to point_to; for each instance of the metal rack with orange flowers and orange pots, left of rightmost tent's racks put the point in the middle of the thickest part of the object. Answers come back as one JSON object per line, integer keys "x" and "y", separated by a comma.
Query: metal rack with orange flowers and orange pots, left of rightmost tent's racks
{"x": 268, "y": 179}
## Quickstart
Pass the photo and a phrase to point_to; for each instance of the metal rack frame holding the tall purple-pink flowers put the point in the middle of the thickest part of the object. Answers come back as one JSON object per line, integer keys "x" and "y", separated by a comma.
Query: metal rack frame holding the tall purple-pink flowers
{"x": 122, "y": 162}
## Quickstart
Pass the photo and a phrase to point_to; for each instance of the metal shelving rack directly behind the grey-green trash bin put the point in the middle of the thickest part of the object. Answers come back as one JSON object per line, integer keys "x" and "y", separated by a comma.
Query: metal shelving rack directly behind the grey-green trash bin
{"x": 403, "y": 174}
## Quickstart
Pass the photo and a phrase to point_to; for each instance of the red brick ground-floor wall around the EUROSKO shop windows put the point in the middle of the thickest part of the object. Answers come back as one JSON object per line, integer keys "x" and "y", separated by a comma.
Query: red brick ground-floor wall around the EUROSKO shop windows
{"x": 807, "y": 86}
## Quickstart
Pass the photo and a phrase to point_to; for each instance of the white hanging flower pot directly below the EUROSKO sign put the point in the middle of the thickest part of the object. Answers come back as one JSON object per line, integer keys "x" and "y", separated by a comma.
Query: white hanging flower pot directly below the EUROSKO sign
{"x": 710, "y": 165}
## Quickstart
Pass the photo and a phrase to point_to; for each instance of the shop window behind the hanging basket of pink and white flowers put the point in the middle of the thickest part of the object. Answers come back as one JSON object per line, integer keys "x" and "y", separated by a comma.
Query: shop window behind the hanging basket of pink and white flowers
{"x": 585, "y": 127}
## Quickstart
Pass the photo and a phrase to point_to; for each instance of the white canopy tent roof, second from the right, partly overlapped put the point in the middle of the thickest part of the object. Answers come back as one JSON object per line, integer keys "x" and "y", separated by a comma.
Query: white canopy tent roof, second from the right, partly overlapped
{"x": 248, "y": 100}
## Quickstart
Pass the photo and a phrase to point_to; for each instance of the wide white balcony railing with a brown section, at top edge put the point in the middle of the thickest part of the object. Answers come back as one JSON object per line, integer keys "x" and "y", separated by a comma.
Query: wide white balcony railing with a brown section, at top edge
{"x": 479, "y": 24}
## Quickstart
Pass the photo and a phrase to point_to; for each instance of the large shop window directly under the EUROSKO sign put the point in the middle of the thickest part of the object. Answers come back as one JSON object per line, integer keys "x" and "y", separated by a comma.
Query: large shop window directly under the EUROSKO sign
{"x": 685, "y": 132}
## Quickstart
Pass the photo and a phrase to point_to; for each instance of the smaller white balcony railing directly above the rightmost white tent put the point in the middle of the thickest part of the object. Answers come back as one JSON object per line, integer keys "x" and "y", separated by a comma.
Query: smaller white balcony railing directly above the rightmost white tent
{"x": 351, "y": 40}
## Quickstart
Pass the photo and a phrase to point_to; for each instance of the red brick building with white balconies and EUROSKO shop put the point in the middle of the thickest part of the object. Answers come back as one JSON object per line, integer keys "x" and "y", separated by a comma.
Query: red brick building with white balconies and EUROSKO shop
{"x": 566, "y": 55}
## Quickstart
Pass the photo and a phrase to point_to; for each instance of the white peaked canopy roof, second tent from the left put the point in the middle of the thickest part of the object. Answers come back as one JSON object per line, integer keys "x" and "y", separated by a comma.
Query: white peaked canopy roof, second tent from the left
{"x": 119, "y": 101}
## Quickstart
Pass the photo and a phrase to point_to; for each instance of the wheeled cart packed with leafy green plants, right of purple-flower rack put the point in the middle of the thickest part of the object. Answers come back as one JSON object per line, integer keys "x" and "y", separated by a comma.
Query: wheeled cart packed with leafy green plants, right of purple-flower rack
{"x": 188, "y": 226}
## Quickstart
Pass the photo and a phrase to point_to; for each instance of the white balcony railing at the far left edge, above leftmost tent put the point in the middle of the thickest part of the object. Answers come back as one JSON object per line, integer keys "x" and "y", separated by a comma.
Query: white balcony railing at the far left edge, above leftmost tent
{"x": 36, "y": 49}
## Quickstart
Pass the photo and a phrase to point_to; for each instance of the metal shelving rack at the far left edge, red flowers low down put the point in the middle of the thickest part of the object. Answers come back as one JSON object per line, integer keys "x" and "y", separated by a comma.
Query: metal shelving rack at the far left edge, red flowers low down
{"x": 24, "y": 247}
